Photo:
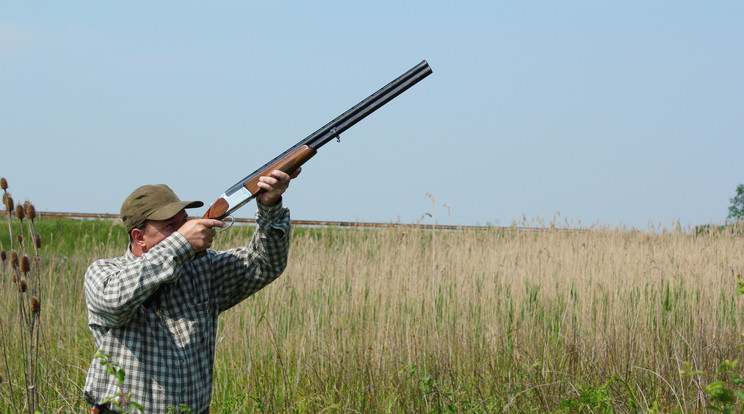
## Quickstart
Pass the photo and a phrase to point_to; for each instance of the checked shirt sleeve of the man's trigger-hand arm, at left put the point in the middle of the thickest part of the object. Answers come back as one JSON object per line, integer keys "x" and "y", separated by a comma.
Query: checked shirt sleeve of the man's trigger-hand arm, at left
{"x": 114, "y": 288}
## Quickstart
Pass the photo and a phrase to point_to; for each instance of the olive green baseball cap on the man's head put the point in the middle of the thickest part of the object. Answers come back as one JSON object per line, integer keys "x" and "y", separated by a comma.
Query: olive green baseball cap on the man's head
{"x": 152, "y": 202}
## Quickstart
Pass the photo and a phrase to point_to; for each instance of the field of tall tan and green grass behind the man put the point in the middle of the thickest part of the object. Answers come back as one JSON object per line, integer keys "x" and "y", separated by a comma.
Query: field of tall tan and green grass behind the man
{"x": 415, "y": 320}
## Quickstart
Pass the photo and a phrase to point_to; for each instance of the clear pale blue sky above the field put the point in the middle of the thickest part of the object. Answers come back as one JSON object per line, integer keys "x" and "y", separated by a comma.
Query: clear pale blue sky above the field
{"x": 595, "y": 112}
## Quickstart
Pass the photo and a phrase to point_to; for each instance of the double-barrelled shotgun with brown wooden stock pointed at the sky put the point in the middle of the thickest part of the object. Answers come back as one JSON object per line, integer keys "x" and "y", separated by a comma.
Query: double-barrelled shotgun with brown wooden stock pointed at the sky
{"x": 247, "y": 189}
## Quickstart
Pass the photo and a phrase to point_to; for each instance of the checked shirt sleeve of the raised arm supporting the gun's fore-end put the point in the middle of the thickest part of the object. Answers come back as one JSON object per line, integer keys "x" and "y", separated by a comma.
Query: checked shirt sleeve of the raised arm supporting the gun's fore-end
{"x": 240, "y": 272}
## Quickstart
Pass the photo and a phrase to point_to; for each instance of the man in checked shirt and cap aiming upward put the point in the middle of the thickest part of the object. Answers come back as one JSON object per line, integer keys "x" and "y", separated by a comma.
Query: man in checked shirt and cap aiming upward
{"x": 155, "y": 309}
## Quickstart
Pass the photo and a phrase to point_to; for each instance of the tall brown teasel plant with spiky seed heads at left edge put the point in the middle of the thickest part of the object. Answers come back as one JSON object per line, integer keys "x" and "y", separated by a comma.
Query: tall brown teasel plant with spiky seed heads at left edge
{"x": 22, "y": 264}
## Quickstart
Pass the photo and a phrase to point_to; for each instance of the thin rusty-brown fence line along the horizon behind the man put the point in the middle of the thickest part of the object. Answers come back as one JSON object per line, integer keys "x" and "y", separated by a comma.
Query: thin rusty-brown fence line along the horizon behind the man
{"x": 308, "y": 223}
